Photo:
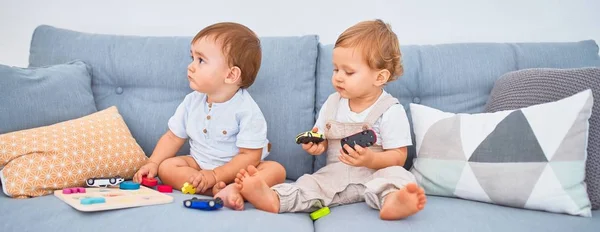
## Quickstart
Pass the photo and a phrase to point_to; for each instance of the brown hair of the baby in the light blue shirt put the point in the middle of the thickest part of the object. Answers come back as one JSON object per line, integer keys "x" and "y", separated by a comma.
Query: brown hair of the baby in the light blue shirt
{"x": 240, "y": 45}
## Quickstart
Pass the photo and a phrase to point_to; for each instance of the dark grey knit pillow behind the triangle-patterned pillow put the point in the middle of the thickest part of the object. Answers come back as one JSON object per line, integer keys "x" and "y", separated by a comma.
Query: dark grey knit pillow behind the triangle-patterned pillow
{"x": 528, "y": 87}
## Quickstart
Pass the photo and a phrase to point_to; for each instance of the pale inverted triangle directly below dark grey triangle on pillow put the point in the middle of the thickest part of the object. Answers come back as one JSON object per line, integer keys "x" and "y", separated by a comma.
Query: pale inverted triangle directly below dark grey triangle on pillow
{"x": 516, "y": 182}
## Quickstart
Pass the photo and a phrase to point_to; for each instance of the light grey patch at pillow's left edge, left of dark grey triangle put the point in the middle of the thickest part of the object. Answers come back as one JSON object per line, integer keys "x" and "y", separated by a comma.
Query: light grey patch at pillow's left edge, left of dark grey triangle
{"x": 442, "y": 141}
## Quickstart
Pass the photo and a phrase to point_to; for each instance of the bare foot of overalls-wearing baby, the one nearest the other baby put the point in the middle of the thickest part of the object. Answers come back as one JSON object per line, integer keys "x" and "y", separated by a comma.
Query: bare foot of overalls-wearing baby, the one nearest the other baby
{"x": 256, "y": 191}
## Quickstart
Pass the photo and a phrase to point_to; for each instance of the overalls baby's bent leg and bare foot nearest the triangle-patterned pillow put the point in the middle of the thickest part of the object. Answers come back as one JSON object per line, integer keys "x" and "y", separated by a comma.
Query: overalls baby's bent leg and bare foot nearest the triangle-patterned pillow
{"x": 395, "y": 193}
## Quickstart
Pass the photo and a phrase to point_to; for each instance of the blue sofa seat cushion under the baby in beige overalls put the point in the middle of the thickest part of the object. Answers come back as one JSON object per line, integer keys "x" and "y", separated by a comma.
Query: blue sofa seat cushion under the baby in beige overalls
{"x": 450, "y": 214}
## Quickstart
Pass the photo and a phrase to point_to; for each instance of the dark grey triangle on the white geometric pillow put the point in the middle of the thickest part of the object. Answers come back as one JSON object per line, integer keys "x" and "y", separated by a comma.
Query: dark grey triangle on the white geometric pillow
{"x": 512, "y": 141}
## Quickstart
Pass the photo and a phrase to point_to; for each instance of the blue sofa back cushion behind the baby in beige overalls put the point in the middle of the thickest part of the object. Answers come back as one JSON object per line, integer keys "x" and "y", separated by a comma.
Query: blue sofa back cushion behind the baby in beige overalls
{"x": 459, "y": 77}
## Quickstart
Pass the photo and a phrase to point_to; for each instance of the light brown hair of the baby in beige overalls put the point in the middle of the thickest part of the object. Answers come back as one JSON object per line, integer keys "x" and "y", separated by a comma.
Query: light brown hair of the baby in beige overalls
{"x": 378, "y": 43}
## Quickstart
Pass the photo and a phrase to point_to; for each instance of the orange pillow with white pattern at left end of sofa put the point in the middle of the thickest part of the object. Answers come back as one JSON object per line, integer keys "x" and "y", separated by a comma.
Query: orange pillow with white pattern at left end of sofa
{"x": 37, "y": 161}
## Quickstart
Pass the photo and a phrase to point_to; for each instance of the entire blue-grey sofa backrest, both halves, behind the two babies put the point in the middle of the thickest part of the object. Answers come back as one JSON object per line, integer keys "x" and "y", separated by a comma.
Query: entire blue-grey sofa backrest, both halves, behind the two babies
{"x": 145, "y": 77}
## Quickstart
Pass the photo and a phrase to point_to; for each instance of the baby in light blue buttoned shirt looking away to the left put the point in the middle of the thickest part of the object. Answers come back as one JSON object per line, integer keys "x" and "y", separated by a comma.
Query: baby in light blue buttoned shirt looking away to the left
{"x": 225, "y": 127}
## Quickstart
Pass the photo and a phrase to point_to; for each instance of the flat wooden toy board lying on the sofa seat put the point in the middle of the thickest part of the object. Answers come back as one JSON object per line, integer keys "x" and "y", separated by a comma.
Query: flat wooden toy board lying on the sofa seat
{"x": 115, "y": 198}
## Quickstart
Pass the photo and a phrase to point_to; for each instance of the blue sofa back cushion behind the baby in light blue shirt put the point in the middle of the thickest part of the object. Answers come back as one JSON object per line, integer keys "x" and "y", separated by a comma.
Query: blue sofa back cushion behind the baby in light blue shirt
{"x": 145, "y": 77}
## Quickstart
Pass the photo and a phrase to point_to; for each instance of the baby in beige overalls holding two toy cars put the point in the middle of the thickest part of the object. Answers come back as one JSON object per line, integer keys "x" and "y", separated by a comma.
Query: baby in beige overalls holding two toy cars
{"x": 365, "y": 57}
